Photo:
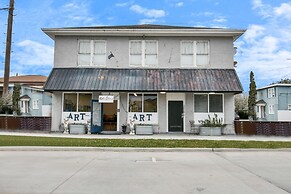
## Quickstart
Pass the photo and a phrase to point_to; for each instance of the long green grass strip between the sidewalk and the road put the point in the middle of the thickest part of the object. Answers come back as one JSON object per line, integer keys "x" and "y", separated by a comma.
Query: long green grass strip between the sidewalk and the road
{"x": 140, "y": 143}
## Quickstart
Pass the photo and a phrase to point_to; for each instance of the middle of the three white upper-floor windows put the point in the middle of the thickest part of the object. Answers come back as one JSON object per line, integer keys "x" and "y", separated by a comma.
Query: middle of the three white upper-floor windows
{"x": 143, "y": 53}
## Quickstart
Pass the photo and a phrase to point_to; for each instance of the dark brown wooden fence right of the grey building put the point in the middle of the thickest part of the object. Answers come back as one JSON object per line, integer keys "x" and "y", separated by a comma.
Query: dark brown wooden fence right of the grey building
{"x": 262, "y": 128}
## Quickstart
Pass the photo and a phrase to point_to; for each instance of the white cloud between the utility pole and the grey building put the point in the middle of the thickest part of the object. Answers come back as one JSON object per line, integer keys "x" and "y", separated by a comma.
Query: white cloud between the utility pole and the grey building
{"x": 34, "y": 53}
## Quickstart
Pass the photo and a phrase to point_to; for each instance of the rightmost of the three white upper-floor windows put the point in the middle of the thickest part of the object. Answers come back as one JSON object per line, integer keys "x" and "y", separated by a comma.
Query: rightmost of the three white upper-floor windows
{"x": 194, "y": 53}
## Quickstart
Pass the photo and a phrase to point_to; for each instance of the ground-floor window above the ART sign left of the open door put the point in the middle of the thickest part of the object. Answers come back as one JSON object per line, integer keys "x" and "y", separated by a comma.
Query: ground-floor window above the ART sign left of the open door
{"x": 77, "y": 102}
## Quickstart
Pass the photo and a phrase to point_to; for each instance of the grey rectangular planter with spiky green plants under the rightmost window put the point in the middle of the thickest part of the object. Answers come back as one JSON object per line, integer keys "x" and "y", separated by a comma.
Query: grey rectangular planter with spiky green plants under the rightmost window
{"x": 211, "y": 126}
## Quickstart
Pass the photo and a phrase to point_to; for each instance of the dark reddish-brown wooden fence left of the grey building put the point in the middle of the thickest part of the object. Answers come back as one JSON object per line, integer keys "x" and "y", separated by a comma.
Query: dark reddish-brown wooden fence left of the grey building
{"x": 25, "y": 123}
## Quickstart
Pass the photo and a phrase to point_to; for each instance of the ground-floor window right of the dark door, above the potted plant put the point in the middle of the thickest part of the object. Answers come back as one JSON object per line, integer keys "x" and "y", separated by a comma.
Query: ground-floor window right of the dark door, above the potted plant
{"x": 205, "y": 103}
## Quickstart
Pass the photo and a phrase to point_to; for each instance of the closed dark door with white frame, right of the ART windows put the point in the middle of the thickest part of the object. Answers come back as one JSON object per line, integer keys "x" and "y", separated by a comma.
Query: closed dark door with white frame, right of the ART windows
{"x": 175, "y": 116}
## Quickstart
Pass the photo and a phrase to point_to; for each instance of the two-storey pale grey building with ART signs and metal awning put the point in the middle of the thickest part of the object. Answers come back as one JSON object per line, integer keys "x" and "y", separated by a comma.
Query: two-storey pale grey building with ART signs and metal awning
{"x": 164, "y": 76}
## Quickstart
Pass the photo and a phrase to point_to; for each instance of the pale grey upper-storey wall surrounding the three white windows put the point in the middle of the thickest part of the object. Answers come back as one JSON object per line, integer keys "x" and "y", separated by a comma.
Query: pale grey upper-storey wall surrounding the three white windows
{"x": 221, "y": 51}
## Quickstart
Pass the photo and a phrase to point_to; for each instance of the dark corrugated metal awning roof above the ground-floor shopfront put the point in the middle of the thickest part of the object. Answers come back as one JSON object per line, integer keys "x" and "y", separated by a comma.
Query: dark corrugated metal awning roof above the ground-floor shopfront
{"x": 143, "y": 80}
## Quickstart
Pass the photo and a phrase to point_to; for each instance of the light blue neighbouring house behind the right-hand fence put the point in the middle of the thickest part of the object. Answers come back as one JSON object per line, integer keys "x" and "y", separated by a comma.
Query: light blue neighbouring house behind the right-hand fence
{"x": 274, "y": 102}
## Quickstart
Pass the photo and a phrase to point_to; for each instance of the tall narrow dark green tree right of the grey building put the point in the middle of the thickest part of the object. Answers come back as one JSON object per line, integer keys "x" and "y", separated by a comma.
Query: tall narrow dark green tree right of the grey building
{"x": 252, "y": 97}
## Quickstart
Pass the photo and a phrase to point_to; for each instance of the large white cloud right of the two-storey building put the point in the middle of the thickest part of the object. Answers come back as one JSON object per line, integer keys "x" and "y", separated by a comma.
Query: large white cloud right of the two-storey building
{"x": 265, "y": 48}
